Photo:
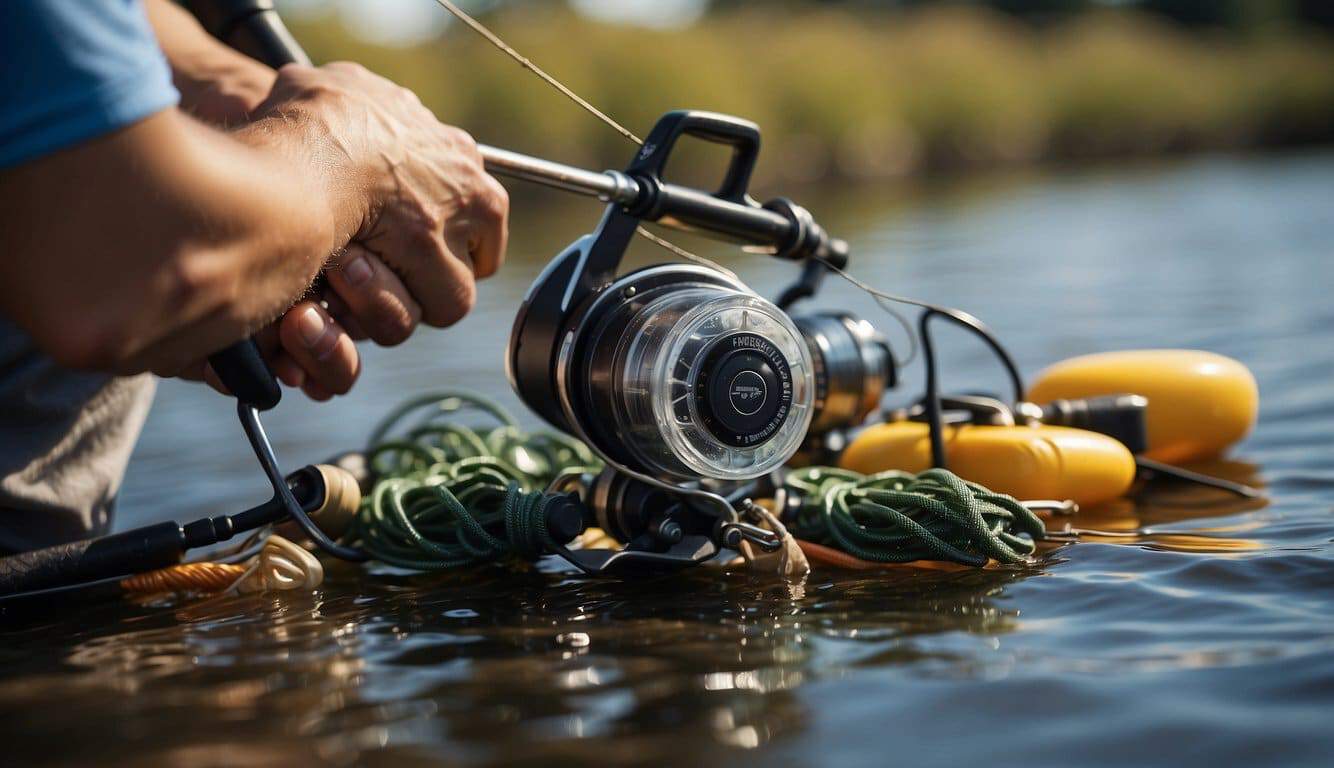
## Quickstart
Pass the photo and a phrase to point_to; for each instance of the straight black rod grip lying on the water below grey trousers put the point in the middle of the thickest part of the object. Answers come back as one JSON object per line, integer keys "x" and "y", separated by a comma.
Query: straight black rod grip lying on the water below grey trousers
{"x": 93, "y": 559}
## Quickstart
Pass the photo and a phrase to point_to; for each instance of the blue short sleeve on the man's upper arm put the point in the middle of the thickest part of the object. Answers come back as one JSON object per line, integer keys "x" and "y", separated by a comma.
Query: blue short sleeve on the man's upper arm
{"x": 75, "y": 70}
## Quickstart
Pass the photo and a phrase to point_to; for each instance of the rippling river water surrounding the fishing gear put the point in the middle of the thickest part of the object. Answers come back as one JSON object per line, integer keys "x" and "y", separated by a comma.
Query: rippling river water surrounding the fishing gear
{"x": 1195, "y": 630}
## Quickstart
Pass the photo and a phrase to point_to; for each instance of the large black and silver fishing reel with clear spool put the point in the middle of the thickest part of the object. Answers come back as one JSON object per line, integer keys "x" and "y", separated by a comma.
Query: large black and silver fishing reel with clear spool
{"x": 685, "y": 381}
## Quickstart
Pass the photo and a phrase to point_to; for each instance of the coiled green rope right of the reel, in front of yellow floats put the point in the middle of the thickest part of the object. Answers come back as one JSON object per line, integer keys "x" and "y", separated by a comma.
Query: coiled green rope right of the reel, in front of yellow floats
{"x": 898, "y": 517}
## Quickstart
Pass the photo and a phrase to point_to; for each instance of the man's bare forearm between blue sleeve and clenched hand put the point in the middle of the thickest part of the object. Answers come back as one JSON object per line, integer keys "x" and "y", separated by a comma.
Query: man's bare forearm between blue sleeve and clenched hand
{"x": 167, "y": 241}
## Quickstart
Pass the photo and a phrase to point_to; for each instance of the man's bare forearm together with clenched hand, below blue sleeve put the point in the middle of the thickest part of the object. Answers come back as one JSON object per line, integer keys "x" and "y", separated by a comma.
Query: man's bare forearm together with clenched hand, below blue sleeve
{"x": 182, "y": 239}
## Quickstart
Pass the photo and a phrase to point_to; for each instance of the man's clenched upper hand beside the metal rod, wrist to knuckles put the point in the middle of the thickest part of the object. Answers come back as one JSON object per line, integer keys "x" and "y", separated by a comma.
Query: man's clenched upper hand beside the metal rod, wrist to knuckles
{"x": 430, "y": 218}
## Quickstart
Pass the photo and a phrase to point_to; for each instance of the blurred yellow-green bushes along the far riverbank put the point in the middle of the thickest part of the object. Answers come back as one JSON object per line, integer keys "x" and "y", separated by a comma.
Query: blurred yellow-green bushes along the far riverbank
{"x": 874, "y": 97}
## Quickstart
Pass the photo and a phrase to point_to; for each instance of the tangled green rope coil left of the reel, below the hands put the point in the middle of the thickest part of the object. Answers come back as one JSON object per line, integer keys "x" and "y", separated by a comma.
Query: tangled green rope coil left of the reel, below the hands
{"x": 448, "y": 495}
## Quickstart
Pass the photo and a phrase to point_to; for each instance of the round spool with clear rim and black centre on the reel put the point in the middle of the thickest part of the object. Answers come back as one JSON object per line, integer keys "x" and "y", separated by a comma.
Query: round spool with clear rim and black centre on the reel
{"x": 684, "y": 374}
